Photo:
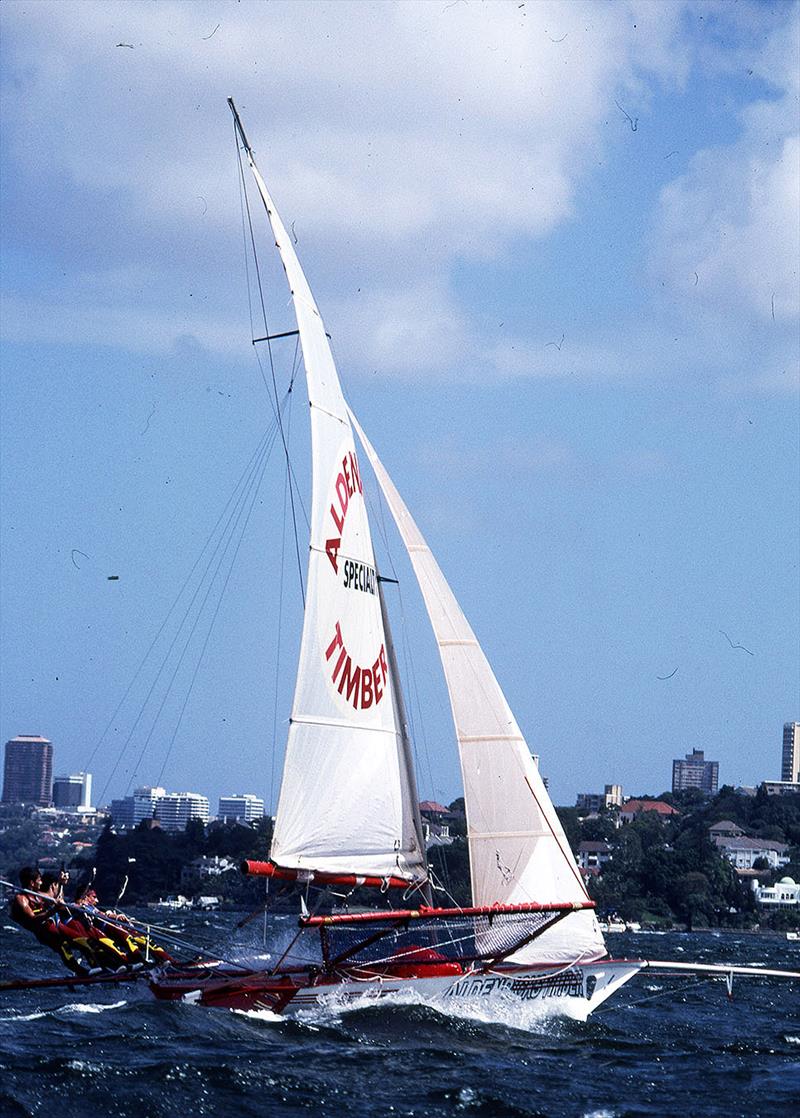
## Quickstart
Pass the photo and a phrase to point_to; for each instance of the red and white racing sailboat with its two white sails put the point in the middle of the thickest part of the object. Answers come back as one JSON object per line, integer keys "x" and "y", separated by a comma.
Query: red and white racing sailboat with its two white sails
{"x": 349, "y": 810}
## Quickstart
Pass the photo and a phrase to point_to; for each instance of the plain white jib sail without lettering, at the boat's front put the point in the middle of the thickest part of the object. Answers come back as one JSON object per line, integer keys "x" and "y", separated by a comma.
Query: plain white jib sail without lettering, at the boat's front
{"x": 518, "y": 848}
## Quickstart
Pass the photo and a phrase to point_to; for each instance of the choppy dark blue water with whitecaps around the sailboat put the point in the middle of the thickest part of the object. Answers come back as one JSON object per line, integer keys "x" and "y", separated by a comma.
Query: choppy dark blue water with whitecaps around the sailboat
{"x": 116, "y": 1051}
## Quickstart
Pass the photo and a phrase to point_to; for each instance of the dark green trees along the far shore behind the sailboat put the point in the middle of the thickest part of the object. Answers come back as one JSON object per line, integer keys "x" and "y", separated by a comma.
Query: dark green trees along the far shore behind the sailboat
{"x": 662, "y": 873}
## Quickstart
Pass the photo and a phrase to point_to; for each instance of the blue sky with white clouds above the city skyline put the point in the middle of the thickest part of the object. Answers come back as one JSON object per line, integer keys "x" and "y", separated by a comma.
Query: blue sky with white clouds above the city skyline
{"x": 557, "y": 248}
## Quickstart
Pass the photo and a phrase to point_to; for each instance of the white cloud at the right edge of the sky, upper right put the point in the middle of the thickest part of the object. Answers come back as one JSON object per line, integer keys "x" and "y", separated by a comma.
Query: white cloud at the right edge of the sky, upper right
{"x": 729, "y": 230}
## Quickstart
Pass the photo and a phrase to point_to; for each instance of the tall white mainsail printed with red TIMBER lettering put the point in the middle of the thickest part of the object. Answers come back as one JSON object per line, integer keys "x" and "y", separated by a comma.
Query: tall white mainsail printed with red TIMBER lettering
{"x": 347, "y": 799}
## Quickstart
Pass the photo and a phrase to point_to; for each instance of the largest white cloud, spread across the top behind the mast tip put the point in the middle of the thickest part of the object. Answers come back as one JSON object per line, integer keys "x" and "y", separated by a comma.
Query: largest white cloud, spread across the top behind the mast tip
{"x": 384, "y": 120}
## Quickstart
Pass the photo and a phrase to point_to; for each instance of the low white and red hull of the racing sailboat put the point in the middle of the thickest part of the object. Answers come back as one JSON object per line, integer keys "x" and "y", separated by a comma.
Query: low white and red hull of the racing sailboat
{"x": 566, "y": 992}
